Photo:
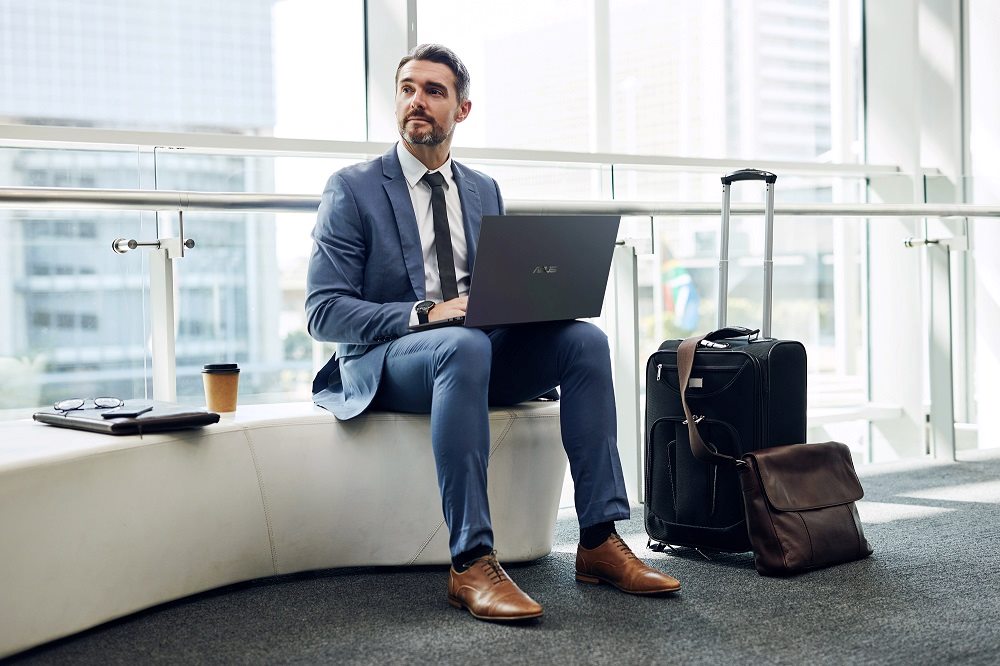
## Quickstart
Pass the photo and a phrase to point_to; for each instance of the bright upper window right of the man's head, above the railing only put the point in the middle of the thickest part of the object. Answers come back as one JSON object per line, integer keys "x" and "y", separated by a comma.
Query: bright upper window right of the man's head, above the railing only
{"x": 772, "y": 79}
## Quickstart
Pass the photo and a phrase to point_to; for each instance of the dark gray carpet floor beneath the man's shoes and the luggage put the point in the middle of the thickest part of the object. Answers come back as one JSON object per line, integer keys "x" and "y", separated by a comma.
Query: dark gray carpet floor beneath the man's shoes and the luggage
{"x": 930, "y": 594}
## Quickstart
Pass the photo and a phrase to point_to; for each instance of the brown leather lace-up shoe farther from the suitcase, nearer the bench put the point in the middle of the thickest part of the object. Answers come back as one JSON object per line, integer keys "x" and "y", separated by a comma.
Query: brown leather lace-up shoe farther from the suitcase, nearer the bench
{"x": 488, "y": 593}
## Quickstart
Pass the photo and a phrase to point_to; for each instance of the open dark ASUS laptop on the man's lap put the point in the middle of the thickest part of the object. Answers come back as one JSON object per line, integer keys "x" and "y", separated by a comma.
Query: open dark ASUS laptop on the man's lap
{"x": 533, "y": 268}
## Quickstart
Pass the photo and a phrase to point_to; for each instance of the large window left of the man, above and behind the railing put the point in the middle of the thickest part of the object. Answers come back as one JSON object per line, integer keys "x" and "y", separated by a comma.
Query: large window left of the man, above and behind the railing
{"x": 75, "y": 315}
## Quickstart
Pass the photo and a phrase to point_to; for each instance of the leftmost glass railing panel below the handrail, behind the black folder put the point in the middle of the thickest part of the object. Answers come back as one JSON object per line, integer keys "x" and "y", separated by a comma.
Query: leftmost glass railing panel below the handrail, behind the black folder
{"x": 75, "y": 315}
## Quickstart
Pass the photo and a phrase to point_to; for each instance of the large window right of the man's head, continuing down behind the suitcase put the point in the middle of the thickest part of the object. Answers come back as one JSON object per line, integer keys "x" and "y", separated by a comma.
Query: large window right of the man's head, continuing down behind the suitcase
{"x": 758, "y": 81}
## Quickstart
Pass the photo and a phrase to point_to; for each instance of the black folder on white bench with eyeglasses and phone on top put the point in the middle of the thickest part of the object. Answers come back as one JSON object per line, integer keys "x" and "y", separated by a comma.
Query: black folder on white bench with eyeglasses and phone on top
{"x": 163, "y": 416}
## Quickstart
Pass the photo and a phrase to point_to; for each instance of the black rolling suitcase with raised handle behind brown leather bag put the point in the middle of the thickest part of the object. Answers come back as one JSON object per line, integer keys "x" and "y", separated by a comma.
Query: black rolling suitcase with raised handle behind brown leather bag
{"x": 750, "y": 391}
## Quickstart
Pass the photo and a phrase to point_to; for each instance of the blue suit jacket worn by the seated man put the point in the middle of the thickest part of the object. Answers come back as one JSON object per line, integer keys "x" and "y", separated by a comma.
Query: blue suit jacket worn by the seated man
{"x": 366, "y": 271}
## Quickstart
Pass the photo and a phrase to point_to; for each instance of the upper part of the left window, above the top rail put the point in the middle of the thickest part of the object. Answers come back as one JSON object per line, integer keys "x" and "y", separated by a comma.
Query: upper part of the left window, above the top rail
{"x": 271, "y": 67}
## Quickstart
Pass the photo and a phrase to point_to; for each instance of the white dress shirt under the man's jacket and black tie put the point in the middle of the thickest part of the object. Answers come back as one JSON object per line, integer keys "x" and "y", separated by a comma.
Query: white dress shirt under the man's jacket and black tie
{"x": 420, "y": 197}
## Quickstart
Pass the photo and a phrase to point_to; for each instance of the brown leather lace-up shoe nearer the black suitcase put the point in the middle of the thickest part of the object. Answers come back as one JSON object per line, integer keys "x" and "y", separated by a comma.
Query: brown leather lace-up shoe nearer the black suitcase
{"x": 614, "y": 562}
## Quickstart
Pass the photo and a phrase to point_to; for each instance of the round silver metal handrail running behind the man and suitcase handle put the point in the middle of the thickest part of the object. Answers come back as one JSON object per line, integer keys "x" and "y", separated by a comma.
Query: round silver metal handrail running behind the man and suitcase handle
{"x": 174, "y": 200}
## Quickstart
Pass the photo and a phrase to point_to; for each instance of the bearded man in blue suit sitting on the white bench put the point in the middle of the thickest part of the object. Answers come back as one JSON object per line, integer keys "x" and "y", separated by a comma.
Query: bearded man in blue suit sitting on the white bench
{"x": 378, "y": 266}
